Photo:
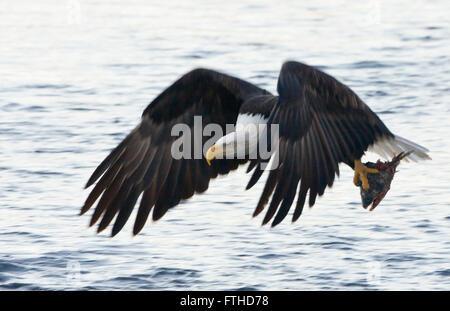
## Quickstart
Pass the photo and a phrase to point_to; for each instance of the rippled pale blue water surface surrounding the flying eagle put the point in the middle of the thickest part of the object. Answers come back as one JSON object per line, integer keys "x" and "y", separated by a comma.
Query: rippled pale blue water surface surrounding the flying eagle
{"x": 76, "y": 75}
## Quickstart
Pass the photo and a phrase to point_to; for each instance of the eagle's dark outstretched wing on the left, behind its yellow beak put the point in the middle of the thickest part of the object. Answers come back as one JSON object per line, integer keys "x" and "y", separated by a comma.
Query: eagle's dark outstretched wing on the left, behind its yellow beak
{"x": 142, "y": 162}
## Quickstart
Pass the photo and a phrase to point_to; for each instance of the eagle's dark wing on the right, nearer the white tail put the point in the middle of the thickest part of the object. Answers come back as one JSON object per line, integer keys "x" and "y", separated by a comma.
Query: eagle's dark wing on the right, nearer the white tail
{"x": 322, "y": 123}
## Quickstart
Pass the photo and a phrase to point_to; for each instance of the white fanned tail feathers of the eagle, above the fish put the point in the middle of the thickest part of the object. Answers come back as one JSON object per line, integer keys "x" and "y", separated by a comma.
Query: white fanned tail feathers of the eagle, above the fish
{"x": 388, "y": 147}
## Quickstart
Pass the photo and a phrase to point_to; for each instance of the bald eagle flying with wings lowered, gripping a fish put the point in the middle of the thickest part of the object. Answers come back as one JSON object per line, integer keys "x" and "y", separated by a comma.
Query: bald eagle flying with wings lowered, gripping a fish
{"x": 322, "y": 123}
